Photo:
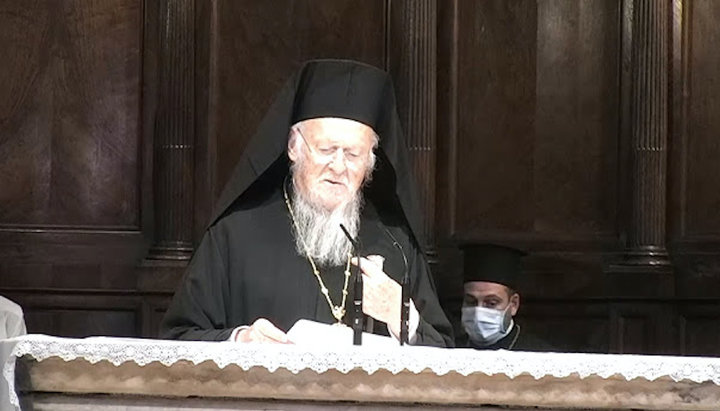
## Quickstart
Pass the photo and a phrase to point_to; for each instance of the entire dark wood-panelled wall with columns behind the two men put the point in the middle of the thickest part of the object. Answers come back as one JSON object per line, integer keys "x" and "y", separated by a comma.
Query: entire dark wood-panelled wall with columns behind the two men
{"x": 585, "y": 132}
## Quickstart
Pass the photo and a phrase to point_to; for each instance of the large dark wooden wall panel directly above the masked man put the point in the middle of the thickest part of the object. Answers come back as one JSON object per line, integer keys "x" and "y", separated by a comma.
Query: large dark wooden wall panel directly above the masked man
{"x": 537, "y": 140}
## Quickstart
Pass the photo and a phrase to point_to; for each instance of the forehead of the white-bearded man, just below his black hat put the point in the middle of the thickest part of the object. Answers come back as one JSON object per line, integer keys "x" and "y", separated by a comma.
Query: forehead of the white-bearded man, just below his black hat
{"x": 337, "y": 130}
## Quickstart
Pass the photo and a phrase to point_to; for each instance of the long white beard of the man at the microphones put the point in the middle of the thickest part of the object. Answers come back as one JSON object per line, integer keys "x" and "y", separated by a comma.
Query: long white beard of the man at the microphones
{"x": 317, "y": 231}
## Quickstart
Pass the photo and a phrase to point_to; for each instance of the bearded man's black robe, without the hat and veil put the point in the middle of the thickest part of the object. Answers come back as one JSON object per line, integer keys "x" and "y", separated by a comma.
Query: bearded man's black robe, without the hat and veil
{"x": 247, "y": 267}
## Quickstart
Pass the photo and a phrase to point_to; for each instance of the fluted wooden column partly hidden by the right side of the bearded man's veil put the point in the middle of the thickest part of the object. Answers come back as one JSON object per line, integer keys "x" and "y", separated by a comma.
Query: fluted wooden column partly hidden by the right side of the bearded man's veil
{"x": 412, "y": 60}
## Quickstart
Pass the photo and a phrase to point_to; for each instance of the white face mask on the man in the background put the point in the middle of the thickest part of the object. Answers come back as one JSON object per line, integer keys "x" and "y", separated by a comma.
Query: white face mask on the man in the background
{"x": 486, "y": 326}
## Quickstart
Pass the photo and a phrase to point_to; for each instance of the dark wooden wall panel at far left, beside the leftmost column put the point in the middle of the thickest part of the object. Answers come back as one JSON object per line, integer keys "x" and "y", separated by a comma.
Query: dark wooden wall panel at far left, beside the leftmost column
{"x": 70, "y": 113}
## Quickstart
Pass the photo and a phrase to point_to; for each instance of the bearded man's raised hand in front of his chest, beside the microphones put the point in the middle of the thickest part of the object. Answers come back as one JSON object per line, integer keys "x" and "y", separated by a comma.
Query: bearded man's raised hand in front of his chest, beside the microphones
{"x": 381, "y": 295}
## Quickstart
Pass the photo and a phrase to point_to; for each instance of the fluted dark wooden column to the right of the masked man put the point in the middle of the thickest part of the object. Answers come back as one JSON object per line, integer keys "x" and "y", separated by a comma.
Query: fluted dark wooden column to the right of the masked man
{"x": 649, "y": 132}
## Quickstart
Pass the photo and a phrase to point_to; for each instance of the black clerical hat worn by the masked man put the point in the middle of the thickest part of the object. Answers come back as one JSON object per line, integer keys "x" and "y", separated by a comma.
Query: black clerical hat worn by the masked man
{"x": 492, "y": 263}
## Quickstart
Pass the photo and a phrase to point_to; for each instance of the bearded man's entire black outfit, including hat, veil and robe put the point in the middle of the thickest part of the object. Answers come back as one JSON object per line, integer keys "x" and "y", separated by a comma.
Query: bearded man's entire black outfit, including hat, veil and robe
{"x": 246, "y": 266}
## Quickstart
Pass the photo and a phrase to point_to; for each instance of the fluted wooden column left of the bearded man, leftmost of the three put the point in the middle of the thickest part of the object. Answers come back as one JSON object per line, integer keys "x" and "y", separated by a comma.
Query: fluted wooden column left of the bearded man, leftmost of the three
{"x": 173, "y": 146}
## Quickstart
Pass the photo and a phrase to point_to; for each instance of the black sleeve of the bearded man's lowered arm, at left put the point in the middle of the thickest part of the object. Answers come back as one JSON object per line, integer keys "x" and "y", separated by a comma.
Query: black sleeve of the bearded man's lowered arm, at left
{"x": 198, "y": 309}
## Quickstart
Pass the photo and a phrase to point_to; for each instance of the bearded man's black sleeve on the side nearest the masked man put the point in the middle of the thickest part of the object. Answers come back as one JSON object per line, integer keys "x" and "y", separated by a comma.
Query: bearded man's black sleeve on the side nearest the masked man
{"x": 434, "y": 328}
